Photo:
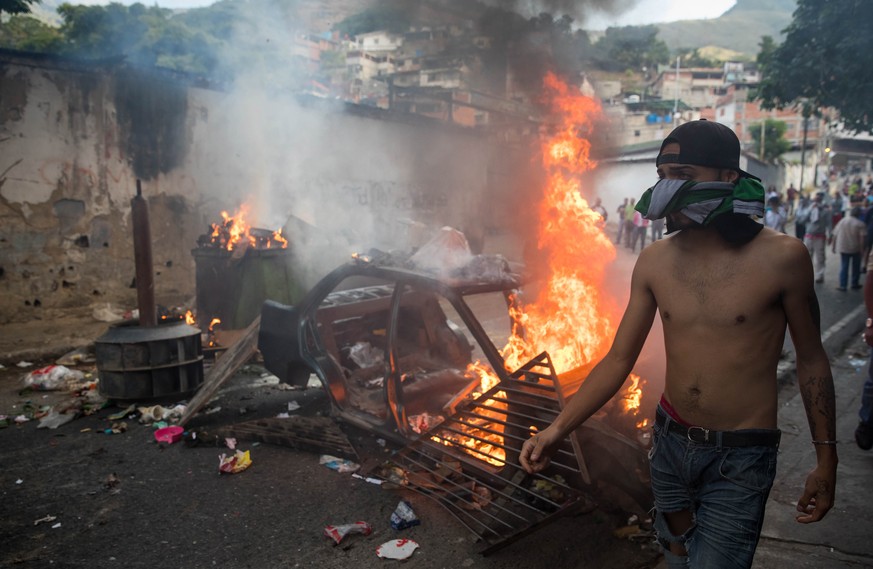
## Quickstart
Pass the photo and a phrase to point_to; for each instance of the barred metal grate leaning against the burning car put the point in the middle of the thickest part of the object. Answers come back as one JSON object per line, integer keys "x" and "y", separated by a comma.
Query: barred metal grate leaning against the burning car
{"x": 460, "y": 465}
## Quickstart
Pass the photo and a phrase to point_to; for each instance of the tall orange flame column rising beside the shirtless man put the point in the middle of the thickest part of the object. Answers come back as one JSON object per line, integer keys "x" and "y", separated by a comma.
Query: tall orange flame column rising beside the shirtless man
{"x": 570, "y": 319}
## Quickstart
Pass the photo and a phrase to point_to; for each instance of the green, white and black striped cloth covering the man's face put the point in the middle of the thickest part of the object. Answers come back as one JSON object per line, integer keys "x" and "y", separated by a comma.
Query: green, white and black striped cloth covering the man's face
{"x": 702, "y": 202}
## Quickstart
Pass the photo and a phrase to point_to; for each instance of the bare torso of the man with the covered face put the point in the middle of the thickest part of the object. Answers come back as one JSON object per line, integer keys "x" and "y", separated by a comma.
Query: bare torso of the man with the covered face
{"x": 724, "y": 325}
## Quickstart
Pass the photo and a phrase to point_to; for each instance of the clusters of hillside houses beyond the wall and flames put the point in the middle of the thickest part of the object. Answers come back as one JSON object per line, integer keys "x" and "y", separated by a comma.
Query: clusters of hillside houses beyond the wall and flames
{"x": 440, "y": 72}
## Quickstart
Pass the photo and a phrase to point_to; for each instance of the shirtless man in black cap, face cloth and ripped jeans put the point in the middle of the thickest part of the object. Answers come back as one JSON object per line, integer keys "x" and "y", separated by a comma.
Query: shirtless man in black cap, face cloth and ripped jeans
{"x": 726, "y": 288}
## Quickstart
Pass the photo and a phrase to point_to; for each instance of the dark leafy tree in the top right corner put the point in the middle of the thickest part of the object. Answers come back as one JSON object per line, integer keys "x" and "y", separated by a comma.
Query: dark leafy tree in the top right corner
{"x": 826, "y": 60}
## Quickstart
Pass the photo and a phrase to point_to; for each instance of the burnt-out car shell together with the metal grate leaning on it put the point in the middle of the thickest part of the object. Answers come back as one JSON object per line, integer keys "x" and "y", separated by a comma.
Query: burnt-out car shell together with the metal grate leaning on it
{"x": 401, "y": 352}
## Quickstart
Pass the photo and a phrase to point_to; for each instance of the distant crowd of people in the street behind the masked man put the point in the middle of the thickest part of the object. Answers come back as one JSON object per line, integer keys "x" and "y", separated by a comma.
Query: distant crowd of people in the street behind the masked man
{"x": 835, "y": 215}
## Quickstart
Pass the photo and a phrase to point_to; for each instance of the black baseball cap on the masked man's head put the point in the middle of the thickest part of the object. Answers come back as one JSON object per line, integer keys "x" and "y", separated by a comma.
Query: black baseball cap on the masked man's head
{"x": 704, "y": 143}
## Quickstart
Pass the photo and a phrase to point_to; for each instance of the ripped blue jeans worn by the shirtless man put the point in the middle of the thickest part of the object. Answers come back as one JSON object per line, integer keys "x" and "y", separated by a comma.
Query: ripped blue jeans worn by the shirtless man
{"x": 724, "y": 488}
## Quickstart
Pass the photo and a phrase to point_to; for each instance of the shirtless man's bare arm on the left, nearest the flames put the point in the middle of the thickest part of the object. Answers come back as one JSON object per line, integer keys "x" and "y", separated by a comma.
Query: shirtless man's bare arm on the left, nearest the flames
{"x": 607, "y": 377}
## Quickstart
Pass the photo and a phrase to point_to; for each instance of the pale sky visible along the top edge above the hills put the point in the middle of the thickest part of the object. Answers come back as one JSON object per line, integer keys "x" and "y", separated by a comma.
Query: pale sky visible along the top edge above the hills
{"x": 644, "y": 11}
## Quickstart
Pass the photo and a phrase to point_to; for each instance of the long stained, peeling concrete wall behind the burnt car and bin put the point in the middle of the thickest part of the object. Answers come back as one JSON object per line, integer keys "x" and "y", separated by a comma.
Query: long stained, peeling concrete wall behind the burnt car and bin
{"x": 74, "y": 139}
